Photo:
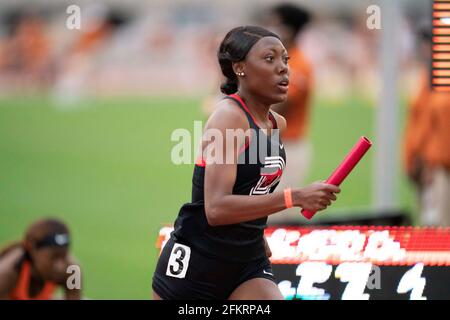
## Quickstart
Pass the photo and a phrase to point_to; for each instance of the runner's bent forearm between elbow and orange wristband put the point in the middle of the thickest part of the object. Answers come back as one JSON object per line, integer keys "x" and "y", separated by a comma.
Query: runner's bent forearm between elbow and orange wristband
{"x": 232, "y": 209}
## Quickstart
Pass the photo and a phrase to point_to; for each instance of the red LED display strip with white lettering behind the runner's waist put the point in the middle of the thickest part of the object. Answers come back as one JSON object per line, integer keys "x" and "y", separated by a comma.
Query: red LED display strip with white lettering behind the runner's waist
{"x": 334, "y": 245}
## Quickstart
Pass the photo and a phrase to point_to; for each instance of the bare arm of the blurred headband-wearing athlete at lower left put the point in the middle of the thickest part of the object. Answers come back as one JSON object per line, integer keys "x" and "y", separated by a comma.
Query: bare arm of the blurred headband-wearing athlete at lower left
{"x": 8, "y": 274}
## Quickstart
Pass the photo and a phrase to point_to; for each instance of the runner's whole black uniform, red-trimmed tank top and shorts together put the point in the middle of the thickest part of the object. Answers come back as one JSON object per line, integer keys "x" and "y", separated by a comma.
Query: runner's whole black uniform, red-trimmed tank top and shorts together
{"x": 200, "y": 261}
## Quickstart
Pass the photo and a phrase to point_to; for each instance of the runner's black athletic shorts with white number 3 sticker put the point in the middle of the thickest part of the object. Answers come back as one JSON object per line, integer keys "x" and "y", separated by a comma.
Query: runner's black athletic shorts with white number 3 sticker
{"x": 182, "y": 273}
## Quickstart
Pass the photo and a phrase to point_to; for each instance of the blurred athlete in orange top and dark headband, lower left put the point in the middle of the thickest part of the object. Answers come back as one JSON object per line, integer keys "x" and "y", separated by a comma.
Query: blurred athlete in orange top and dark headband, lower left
{"x": 34, "y": 268}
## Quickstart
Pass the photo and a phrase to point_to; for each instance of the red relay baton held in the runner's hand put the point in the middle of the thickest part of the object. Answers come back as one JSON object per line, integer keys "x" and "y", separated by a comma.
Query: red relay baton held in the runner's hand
{"x": 346, "y": 166}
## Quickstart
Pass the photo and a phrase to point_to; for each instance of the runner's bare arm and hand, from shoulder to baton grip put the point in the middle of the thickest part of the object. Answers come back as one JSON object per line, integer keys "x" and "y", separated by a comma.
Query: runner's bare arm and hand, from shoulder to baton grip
{"x": 221, "y": 206}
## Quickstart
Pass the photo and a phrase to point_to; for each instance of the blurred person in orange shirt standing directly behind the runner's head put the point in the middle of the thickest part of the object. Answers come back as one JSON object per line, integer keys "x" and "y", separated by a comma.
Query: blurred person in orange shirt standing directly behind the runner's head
{"x": 288, "y": 21}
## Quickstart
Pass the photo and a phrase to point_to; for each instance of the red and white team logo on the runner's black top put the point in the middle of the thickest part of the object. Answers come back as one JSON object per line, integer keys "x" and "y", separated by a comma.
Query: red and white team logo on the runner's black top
{"x": 270, "y": 175}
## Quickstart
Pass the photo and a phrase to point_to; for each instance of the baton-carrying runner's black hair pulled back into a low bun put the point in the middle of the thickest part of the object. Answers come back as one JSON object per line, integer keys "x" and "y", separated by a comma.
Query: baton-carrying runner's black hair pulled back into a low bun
{"x": 234, "y": 48}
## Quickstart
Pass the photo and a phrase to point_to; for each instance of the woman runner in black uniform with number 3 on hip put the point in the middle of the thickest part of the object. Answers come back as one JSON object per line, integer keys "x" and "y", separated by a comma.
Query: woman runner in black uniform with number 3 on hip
{"x": 218, "y": 249}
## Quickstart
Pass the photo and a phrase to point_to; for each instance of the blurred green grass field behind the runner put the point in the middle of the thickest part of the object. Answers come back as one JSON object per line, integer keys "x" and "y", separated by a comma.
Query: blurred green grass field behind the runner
{"x": 105, "y": 169}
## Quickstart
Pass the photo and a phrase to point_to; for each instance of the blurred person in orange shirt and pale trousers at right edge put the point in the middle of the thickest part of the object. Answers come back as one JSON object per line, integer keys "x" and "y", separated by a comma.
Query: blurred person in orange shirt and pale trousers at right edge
{"x": 427, "y": 146}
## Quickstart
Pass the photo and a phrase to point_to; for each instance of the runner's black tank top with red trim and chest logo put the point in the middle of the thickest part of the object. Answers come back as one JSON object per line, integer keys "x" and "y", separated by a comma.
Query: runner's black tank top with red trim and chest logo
{"x": 242, "y": 241}
